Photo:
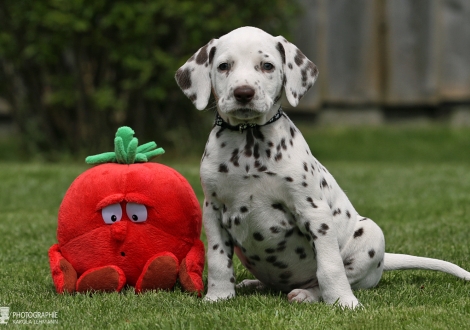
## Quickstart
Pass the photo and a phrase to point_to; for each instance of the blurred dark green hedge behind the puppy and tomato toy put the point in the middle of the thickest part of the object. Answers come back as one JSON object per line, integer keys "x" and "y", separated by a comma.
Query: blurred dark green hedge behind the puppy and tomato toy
{"x": 74, "y": 71}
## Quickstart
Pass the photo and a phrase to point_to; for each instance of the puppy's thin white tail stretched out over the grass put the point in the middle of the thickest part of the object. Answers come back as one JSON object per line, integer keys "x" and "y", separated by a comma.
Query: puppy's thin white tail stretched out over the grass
{"x": 394, "y": 261}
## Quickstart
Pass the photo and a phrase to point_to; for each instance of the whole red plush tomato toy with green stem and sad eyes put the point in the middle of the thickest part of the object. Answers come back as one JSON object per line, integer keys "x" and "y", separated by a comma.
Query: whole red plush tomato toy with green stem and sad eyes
{"x": 128, "y": 222}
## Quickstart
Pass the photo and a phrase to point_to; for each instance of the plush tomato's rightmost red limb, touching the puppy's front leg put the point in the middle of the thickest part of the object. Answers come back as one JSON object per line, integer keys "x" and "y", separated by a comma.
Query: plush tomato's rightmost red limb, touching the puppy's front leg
{"x": 191, "y": 269}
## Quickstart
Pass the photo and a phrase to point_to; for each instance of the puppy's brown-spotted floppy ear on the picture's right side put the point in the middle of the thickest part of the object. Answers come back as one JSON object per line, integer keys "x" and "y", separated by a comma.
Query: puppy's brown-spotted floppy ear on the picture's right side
{"x": 300, "y": 72}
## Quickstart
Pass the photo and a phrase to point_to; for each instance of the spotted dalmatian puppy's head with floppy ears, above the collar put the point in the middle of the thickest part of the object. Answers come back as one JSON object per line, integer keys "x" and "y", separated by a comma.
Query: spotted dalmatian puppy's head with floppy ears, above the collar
{"x": 246, "y": 69}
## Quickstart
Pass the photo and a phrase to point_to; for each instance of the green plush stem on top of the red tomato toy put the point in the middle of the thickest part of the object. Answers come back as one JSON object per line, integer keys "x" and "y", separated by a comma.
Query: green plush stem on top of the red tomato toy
{"x": 127, "y": 150}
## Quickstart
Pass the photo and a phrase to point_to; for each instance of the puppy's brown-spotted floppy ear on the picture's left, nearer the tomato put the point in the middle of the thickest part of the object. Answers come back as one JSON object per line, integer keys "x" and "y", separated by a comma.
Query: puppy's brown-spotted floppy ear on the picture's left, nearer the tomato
{"x": 194, "y": 76}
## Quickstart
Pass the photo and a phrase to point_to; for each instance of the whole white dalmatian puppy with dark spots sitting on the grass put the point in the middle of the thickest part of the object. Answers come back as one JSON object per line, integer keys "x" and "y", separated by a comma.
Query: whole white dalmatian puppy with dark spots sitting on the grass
{"x": 267, "y": 198}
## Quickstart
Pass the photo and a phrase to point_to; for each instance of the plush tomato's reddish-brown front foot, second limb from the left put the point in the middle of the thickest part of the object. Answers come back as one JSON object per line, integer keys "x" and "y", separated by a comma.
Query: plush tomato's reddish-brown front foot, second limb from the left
{"x": 106, "y": 278}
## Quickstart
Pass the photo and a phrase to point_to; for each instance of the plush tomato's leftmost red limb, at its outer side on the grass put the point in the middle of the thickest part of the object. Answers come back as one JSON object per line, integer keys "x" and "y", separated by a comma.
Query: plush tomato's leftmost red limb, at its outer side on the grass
{"x": 63, "y": 274}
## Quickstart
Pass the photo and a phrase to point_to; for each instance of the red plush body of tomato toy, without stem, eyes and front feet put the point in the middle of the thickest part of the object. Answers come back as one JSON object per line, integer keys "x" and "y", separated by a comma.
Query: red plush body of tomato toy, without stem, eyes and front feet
{"x": 173, "y": 223}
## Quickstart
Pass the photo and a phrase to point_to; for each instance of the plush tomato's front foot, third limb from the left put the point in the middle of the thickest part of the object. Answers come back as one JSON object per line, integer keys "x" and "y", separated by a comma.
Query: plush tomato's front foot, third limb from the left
{"x": 159, "y": 273}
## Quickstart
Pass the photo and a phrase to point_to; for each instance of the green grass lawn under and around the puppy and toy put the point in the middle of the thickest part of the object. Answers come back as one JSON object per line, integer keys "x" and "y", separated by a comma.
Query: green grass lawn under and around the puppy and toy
{"x": 414, "y": 183}
